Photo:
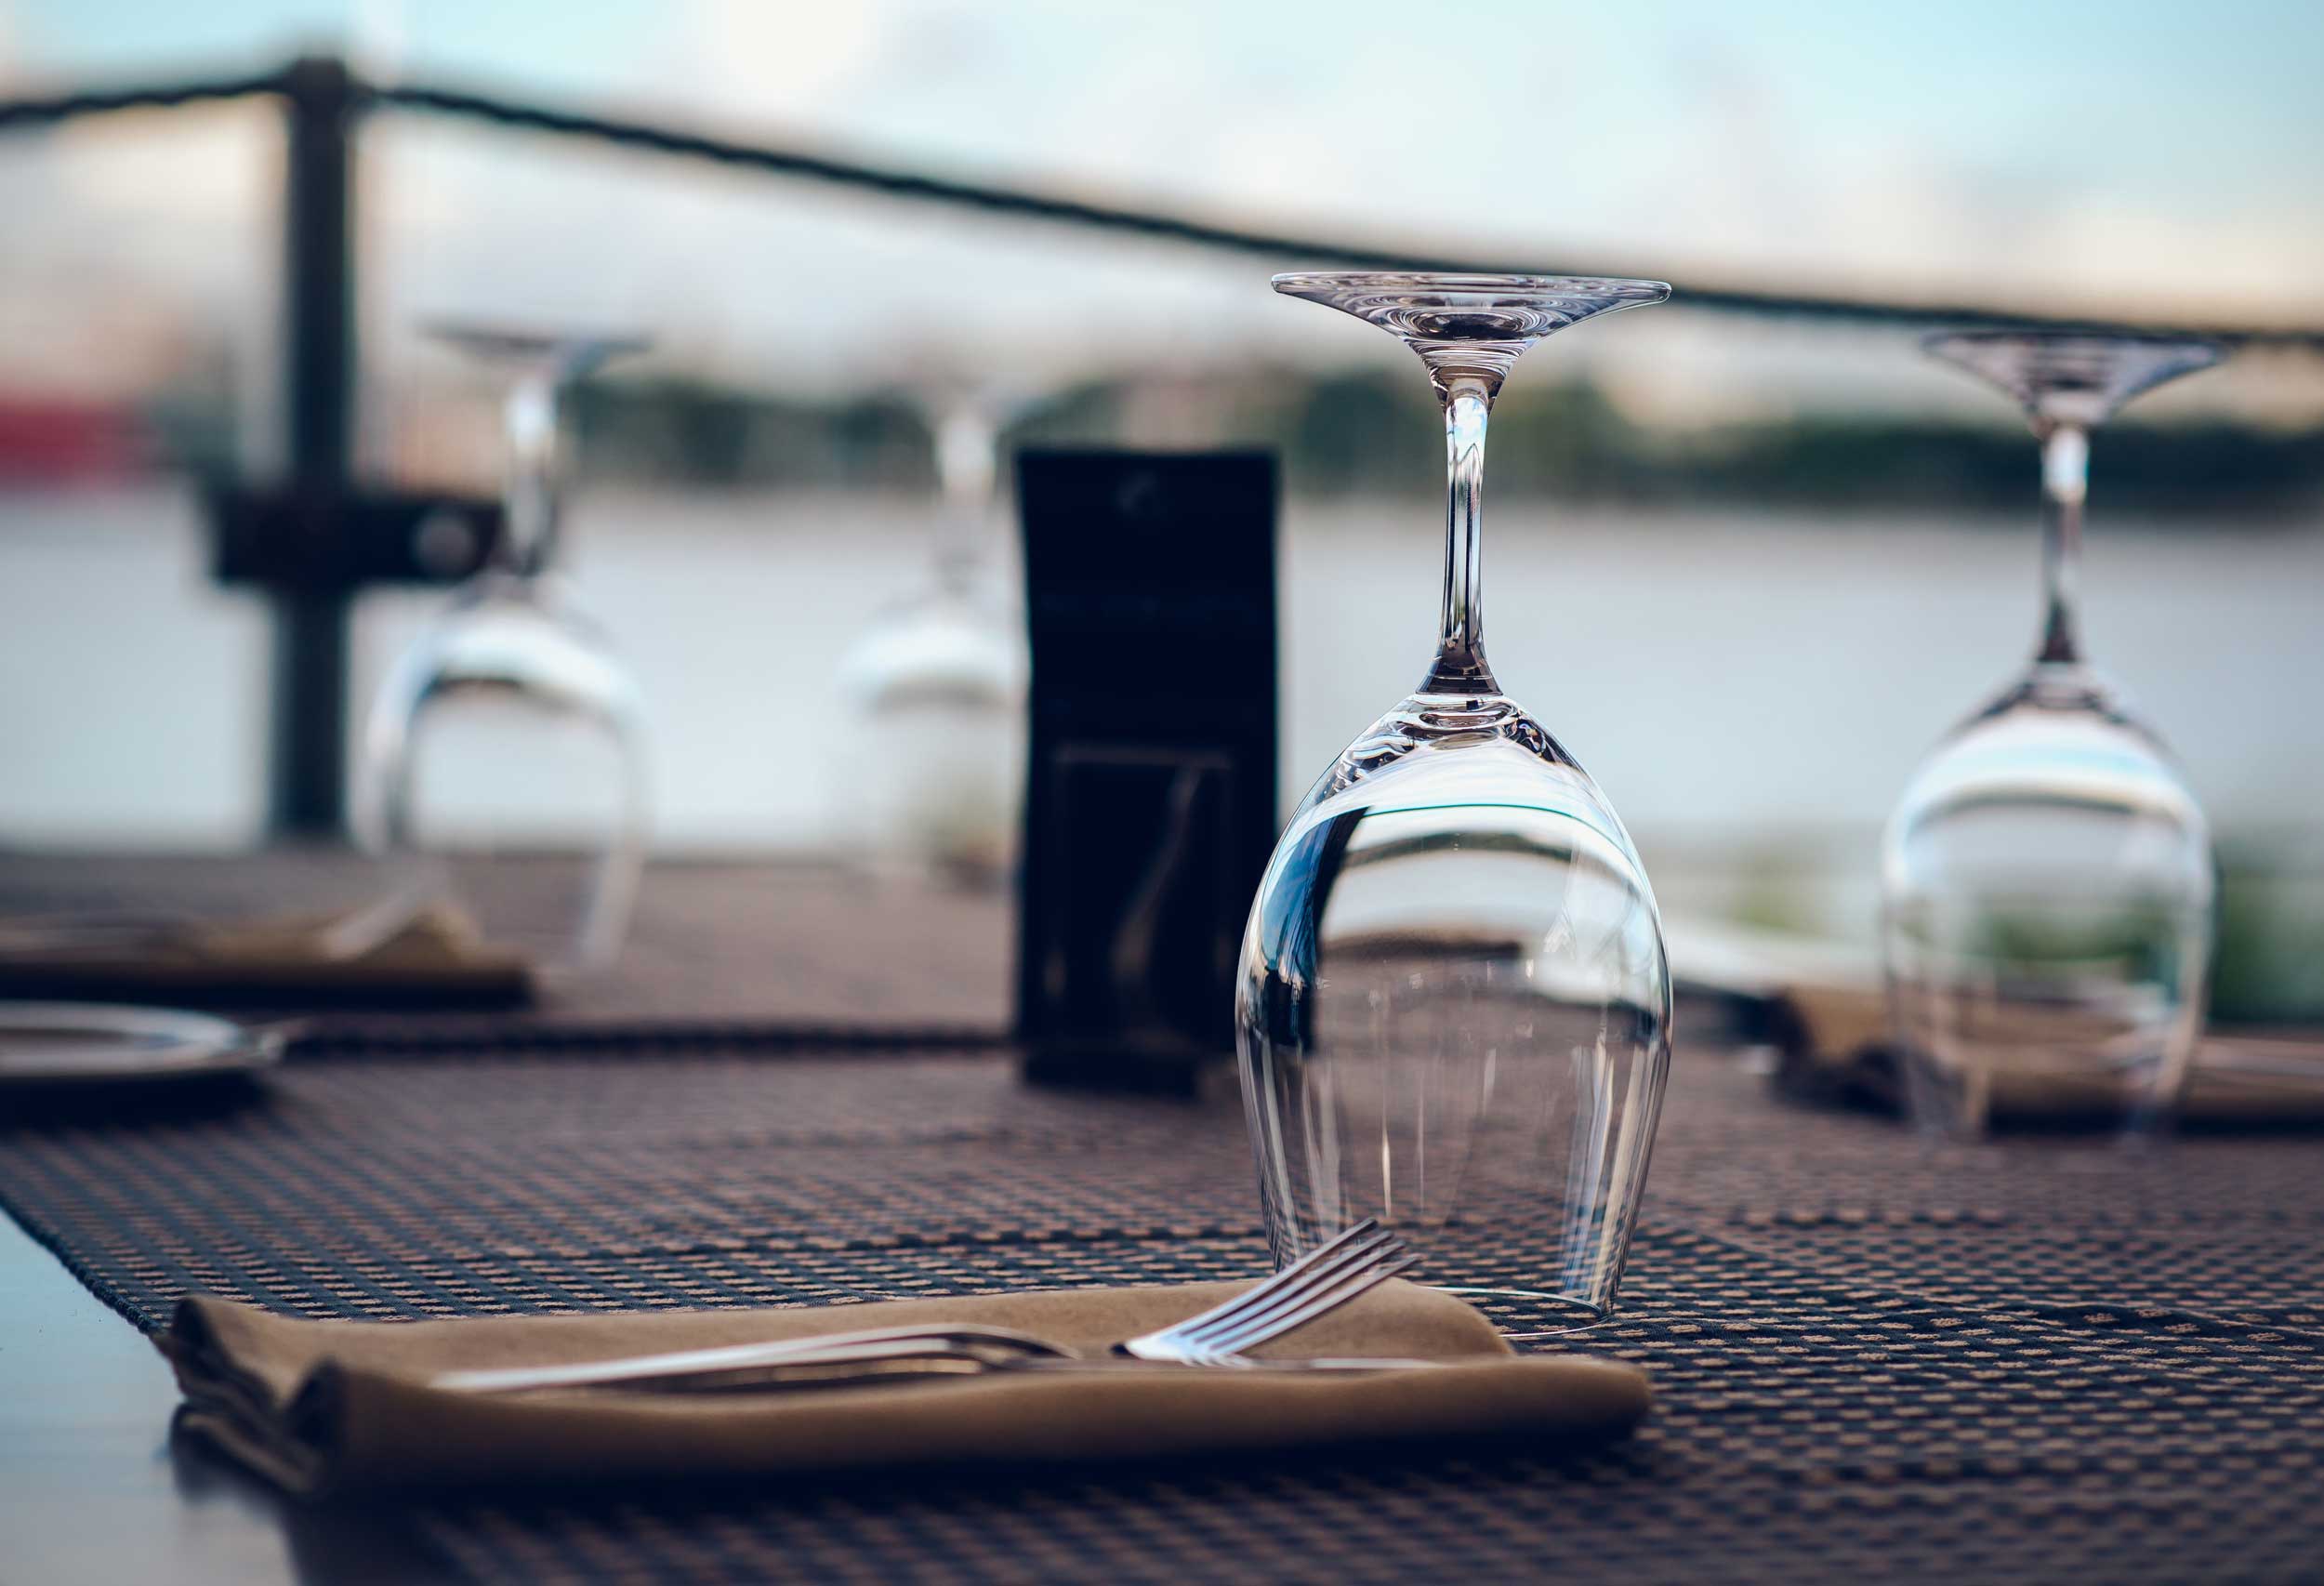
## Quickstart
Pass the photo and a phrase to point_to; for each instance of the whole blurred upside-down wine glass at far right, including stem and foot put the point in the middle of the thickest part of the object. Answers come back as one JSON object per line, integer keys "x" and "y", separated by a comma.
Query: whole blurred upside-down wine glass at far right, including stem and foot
{"x": 2049, "y": 880}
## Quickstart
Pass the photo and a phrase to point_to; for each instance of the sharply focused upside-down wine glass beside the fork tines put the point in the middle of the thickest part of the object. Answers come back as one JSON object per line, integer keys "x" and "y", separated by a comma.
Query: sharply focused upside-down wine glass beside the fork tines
{"x": 1454, "y": 1003}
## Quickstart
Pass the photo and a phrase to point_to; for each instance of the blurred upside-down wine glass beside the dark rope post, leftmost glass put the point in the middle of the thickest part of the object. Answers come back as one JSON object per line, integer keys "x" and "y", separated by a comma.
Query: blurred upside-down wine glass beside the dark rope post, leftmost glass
{"x": 505, "y": 757}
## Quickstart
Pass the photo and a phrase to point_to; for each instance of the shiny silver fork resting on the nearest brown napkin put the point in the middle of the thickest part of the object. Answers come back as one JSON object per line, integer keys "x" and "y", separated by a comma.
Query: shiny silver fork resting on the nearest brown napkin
{"x": 1324, "y": 1280}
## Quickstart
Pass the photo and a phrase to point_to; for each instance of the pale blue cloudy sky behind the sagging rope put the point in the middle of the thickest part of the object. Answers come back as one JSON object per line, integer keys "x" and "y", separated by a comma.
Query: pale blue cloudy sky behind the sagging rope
{"x": 2132, "y": 157}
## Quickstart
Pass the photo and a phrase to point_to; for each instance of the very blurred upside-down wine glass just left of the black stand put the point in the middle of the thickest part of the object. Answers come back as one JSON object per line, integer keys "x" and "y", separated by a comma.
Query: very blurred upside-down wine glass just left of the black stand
{"x": 933, "y": 776}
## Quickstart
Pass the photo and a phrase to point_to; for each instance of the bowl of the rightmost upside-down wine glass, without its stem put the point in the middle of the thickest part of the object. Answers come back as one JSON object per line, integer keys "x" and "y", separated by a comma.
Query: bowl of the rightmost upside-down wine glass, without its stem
{"x": 2049, "y": 917}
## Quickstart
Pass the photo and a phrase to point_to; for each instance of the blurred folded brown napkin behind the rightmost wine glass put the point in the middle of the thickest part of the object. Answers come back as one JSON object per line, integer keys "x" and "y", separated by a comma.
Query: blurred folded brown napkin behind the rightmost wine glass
{"x": 1835, "y": 1041}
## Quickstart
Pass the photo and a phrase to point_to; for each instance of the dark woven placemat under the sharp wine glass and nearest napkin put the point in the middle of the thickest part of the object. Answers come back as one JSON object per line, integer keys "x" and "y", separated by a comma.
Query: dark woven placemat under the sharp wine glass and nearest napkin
{"x": 2014, "y": 1362}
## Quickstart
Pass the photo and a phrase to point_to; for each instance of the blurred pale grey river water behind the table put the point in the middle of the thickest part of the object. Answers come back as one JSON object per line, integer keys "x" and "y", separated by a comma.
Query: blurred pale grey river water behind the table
{"x": 1749, "y": 687}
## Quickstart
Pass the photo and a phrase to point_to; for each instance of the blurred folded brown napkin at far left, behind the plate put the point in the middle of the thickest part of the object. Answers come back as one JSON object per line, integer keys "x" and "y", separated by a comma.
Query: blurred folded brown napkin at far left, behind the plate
{"x": 429, "y": 950}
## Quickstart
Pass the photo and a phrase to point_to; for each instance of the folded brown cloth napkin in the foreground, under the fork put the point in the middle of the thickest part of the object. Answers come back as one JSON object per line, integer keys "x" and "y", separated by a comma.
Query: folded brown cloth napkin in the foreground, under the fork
{"x": 329, "y": 1406}
